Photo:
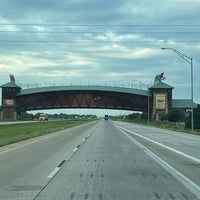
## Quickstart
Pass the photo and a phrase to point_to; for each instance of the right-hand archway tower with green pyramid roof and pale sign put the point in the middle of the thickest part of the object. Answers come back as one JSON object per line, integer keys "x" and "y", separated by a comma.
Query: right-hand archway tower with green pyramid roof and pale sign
{"x": 161, "y": 100}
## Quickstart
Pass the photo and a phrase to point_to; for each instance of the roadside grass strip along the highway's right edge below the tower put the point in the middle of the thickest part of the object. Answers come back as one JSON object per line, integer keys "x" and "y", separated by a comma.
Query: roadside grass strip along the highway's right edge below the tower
{"x": 166, "y": 125}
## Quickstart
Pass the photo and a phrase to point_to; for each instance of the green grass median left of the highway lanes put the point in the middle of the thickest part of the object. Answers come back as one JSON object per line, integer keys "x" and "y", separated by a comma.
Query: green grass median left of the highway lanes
{"x": 11, "y": 133}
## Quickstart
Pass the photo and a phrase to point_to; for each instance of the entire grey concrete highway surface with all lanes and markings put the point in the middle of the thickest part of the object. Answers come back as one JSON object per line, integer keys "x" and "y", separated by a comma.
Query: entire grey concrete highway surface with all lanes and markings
{"x": 103, "y": 160}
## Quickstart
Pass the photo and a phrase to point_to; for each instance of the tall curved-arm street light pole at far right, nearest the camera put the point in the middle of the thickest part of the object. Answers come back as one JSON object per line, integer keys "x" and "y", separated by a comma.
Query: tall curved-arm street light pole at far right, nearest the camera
{"x": 190, "y": 61}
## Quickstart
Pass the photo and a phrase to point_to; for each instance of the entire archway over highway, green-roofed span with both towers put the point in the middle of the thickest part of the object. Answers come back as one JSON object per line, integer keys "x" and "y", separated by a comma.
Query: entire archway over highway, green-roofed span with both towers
{"x": 157, "y": 100}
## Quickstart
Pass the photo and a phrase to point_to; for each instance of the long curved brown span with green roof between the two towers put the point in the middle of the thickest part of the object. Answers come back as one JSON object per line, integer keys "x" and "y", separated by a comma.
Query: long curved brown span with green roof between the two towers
{"x": 101, "y": 97}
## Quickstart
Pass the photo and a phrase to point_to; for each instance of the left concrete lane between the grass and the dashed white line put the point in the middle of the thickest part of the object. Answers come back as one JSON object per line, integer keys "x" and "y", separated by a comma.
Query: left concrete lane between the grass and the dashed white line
{"x": 25, "y": 166}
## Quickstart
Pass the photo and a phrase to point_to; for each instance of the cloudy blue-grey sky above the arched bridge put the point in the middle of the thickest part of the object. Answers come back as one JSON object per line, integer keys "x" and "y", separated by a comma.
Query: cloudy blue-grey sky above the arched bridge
{"x": 100, "y": 42}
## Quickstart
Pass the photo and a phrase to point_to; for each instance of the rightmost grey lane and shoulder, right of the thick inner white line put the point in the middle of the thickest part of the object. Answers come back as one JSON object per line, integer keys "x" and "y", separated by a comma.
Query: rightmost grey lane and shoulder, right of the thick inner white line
{"x": 181, "y": 157}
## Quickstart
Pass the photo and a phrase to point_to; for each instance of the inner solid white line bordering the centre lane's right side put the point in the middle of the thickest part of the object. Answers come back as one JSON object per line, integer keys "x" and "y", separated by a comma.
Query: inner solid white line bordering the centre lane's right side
{"x": 189, "y": 184}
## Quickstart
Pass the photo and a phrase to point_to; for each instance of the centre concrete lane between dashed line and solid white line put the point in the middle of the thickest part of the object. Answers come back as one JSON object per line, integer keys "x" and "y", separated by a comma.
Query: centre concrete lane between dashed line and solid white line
{"x": 110, "y": 166}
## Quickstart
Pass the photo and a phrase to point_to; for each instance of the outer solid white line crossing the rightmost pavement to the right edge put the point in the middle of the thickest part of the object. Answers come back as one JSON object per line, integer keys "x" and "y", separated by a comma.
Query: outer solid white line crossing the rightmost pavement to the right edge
{"x": 164, "y": 146}
